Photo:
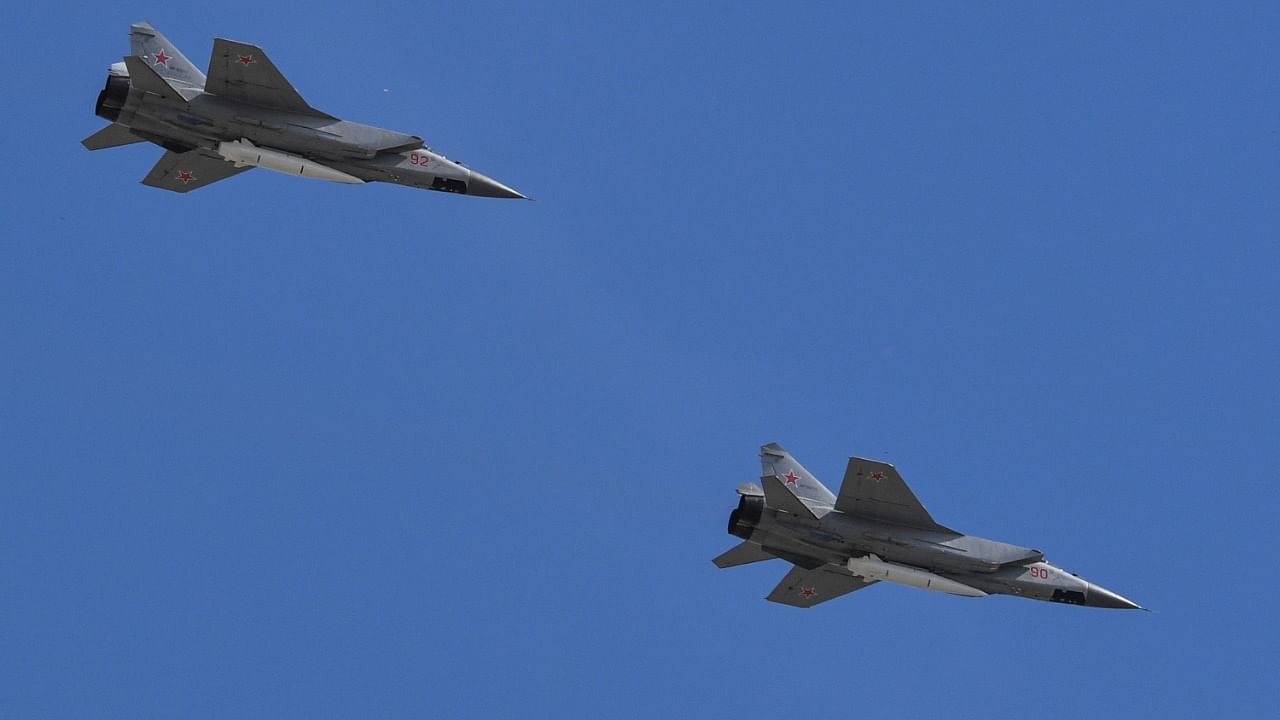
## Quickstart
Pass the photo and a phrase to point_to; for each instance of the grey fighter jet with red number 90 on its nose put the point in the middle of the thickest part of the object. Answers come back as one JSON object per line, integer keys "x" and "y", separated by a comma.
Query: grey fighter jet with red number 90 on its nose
{"x": 875, "y": 531}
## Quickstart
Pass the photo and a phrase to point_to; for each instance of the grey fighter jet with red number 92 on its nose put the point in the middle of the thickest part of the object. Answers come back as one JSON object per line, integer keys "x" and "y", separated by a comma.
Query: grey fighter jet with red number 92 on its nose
{"x": 246, "y": 116}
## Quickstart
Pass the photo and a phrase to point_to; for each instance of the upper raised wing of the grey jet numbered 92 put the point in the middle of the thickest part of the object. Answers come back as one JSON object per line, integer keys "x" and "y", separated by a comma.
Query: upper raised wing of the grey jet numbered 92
{"x": 244, "y": 72}
